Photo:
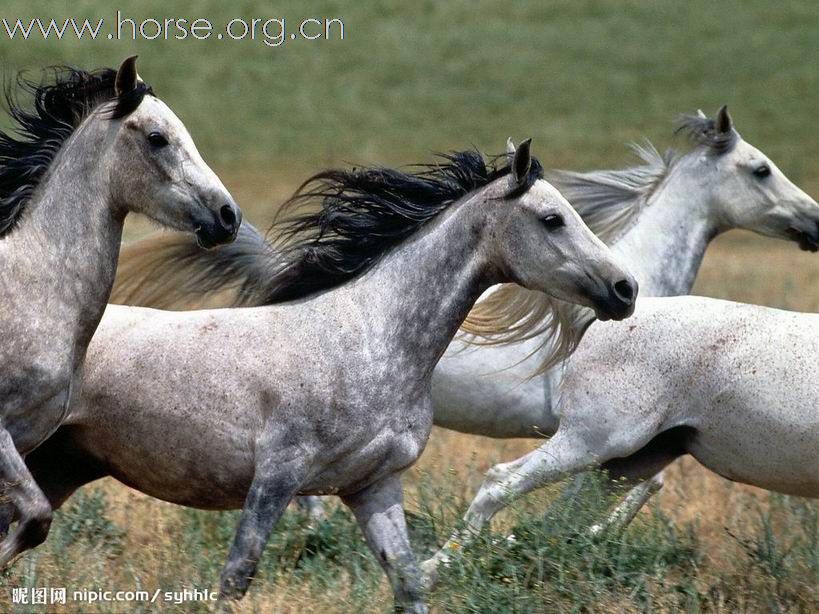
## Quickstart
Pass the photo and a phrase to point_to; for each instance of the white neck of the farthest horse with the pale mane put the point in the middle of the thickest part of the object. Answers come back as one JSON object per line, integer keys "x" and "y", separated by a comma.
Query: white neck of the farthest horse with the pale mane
{"x": 665, "y": 248}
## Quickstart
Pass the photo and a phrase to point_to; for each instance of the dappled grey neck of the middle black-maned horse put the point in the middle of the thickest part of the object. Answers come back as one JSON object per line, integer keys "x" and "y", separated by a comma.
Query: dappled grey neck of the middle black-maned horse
{"x": 418, "y": 296}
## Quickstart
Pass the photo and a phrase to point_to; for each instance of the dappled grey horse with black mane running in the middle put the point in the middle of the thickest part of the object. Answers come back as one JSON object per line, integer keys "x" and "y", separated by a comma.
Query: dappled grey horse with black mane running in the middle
{"x": 326, "y": 388}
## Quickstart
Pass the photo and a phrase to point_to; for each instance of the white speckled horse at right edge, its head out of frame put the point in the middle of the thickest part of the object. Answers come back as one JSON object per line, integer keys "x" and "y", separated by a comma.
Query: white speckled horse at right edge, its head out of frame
{"x": 733, "y": 385}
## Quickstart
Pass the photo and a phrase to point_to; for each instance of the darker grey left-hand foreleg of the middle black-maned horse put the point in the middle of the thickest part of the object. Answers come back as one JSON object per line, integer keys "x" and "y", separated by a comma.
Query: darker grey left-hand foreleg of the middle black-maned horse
{"x": 274, "y": 484}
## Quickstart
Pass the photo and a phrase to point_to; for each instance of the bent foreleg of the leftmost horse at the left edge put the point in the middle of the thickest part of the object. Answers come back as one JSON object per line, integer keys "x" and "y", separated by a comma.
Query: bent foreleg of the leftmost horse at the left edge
{"x": 21, "y": 491}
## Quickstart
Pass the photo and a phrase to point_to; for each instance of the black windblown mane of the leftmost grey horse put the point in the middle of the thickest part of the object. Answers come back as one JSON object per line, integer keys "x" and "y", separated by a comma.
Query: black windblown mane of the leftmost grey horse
{"x": 61, "y": 101}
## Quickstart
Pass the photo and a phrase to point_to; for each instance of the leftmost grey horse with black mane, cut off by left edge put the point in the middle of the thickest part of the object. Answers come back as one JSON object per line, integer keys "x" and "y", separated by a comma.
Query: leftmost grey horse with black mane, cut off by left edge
{"x": 95, "y": 146}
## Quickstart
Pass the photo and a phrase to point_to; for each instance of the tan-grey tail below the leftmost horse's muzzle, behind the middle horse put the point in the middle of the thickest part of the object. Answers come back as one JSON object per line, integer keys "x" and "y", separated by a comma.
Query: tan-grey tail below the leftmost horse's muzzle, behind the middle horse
{"x": 169, "y": 270}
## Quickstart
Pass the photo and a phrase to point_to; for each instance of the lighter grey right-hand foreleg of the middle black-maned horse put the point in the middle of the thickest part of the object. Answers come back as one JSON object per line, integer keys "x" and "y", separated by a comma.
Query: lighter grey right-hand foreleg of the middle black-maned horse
{"x": 379, "y": 510}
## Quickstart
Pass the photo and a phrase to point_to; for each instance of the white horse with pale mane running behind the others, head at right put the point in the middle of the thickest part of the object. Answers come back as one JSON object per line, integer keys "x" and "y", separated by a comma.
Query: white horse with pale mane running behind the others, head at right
{"x": 659, "y": 219}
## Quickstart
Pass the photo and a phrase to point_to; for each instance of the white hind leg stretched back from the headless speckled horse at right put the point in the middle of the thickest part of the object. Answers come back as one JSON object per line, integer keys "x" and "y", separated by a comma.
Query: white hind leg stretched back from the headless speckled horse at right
{"x": 561, "y": 456}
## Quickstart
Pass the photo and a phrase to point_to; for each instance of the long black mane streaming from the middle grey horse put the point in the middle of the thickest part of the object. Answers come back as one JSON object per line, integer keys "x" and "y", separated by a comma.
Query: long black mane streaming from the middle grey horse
{"x": 365, "y": 212}
